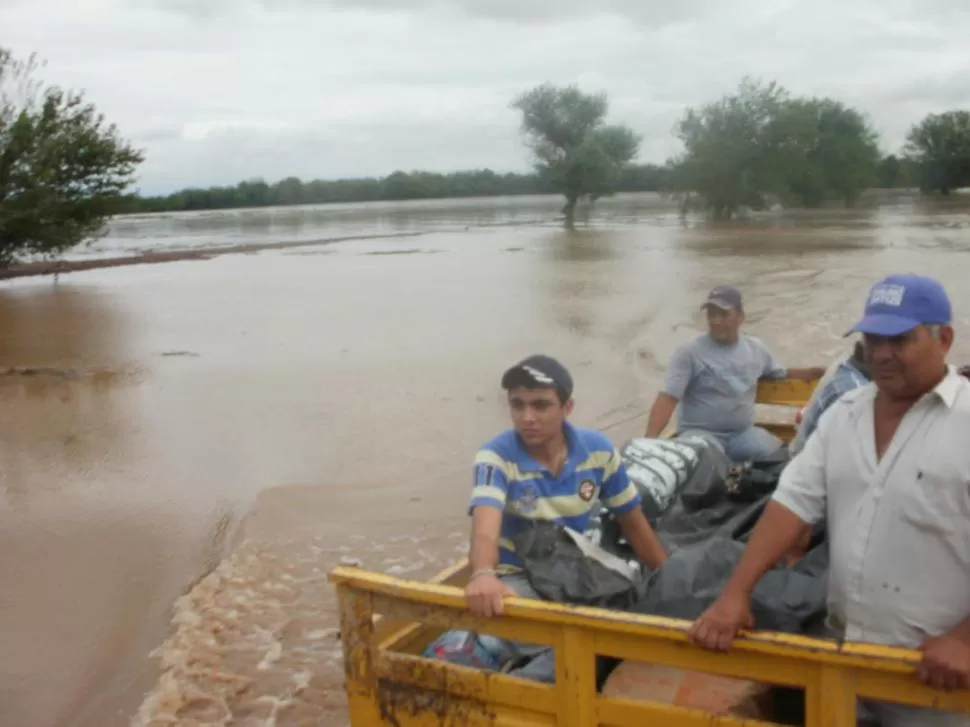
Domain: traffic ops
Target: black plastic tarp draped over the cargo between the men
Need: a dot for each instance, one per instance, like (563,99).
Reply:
(704,532)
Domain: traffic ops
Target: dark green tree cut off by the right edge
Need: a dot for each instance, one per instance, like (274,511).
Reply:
(940,146)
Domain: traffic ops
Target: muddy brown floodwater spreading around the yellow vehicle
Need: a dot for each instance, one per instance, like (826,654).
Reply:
(189,447)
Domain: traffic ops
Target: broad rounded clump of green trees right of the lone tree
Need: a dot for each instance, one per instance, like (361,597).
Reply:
(759,145)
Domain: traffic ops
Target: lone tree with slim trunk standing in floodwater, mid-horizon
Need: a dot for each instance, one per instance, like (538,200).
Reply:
(575,150)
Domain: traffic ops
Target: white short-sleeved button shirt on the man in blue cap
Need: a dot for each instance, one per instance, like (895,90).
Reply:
(899,528)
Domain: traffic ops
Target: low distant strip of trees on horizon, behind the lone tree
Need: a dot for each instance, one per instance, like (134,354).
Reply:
(397,186)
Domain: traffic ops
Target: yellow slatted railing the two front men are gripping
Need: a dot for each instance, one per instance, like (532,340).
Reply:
(387,685)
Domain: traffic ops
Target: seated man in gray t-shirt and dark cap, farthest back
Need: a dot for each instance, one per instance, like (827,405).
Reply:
(714,378)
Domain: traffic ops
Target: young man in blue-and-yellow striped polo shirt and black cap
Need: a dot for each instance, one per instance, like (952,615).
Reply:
(543,468)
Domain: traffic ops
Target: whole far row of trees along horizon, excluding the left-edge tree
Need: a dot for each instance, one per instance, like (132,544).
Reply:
(752,148)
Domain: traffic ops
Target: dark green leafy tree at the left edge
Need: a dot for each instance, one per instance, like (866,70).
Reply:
(63,169)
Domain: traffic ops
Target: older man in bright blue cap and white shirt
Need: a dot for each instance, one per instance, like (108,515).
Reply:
(889,467)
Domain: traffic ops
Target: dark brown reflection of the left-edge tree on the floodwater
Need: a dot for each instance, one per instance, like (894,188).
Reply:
(61,364)
